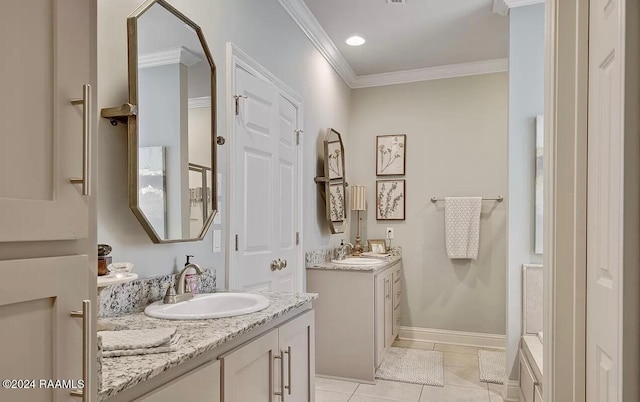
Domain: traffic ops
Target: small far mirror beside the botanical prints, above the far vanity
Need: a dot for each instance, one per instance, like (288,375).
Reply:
(334,181)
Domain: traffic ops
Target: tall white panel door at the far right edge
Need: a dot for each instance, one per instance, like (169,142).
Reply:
(605,201)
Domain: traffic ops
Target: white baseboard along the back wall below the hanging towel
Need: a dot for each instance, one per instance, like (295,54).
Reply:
(476,339)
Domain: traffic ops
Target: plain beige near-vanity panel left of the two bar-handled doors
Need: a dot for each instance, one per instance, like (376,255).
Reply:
(201,384)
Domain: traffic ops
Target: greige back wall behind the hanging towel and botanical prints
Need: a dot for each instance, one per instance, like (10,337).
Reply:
(456,145)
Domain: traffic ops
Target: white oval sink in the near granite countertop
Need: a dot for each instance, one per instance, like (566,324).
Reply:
(206,306)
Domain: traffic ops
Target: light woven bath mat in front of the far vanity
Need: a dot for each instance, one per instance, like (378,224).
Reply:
(415,366)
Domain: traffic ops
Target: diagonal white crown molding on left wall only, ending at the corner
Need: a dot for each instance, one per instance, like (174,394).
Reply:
(305,19)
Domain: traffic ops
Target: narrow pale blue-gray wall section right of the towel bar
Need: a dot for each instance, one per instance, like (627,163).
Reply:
(526,101)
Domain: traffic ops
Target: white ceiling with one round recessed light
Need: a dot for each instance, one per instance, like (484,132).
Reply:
(415,35)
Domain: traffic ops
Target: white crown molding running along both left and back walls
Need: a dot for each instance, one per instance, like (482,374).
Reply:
(305,19)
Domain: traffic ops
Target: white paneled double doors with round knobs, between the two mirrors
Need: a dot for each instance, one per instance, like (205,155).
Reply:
(265,191)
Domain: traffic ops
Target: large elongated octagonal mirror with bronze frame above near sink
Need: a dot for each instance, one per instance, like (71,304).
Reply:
(172,149)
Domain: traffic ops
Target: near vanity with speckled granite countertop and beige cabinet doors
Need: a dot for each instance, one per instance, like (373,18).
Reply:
(244,358)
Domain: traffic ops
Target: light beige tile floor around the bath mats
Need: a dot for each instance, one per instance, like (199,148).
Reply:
(461,382)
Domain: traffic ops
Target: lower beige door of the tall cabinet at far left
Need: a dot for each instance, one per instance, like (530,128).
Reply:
(38,337)
